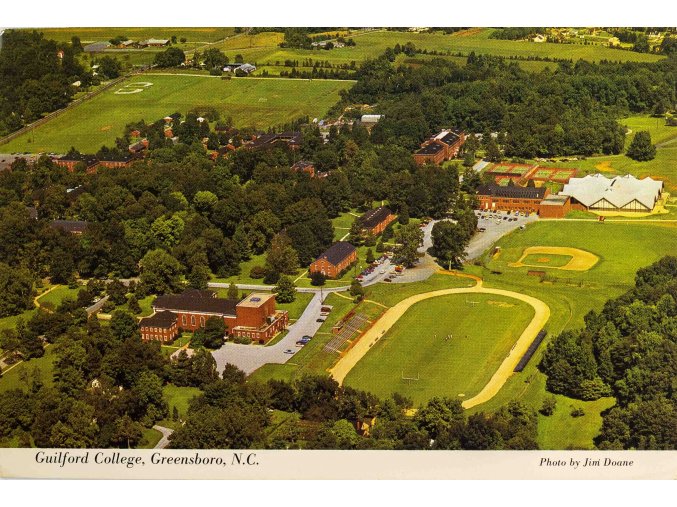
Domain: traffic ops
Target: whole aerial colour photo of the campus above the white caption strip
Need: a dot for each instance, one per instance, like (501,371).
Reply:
(376,238)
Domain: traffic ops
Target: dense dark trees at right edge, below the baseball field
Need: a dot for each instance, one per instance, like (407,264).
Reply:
(629,351)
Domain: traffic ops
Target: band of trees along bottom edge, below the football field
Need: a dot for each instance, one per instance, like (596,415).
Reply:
(235,414)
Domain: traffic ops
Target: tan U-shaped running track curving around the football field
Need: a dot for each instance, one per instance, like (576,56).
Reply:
(504,371)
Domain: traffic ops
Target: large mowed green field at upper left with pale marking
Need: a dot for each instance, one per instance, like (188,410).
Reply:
(250,102)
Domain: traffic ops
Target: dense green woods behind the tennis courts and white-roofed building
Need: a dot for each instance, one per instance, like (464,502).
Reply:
(571,110)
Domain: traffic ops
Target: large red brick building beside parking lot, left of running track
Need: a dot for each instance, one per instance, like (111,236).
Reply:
(254,317)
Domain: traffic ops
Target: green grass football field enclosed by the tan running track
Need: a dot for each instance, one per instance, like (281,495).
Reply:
(417,347)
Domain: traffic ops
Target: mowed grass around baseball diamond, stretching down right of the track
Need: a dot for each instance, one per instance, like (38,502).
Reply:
(623,248)
